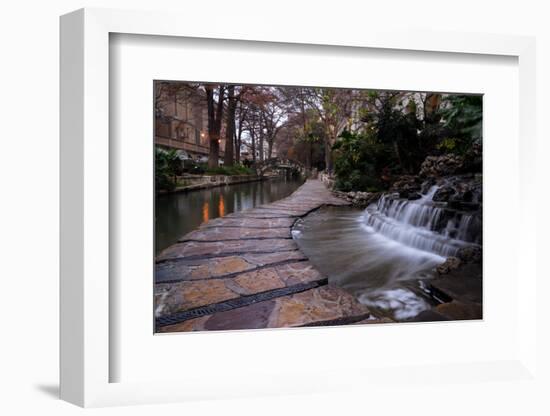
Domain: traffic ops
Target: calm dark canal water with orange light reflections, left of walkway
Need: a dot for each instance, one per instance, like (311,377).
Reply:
(176,214)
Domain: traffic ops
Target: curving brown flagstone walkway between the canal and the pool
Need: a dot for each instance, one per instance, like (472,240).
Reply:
(244,271)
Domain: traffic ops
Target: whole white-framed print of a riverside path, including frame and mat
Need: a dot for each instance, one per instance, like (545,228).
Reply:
(307,213)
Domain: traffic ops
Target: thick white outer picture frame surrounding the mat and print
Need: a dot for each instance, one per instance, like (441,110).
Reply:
(85,217)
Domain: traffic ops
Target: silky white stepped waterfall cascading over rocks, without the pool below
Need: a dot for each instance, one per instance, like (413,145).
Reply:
(422,223)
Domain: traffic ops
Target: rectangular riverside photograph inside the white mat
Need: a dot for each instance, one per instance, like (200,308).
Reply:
(303,206)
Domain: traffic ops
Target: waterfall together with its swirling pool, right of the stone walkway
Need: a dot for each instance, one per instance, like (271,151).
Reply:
(382,254)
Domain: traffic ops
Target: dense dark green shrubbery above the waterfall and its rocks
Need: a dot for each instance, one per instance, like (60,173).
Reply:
(394,141)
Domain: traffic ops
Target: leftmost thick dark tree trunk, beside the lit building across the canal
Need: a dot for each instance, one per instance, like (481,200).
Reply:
(214,102)
